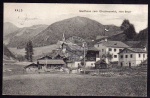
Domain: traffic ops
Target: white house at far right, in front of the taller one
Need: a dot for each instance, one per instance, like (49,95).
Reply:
(132,56)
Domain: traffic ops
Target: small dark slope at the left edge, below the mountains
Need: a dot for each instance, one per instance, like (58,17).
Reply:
(7,54)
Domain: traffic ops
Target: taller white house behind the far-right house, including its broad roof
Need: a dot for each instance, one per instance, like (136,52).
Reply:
(112,47)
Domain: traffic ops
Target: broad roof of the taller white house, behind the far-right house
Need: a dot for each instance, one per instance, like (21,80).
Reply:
(116,44)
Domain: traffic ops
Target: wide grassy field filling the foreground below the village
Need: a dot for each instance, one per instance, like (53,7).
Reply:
(74,85)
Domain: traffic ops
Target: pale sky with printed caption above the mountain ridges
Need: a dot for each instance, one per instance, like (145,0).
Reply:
(46,13)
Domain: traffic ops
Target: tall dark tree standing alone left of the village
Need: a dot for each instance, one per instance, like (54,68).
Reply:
(29,51)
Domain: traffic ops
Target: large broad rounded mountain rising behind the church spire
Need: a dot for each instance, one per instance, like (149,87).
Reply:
(77,26)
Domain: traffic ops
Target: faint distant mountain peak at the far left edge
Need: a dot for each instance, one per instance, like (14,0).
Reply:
(9,28)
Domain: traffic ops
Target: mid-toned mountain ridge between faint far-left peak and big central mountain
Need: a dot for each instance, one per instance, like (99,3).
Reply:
(20,37)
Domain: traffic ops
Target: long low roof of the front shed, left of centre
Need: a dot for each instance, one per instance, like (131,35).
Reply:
(58,61)
